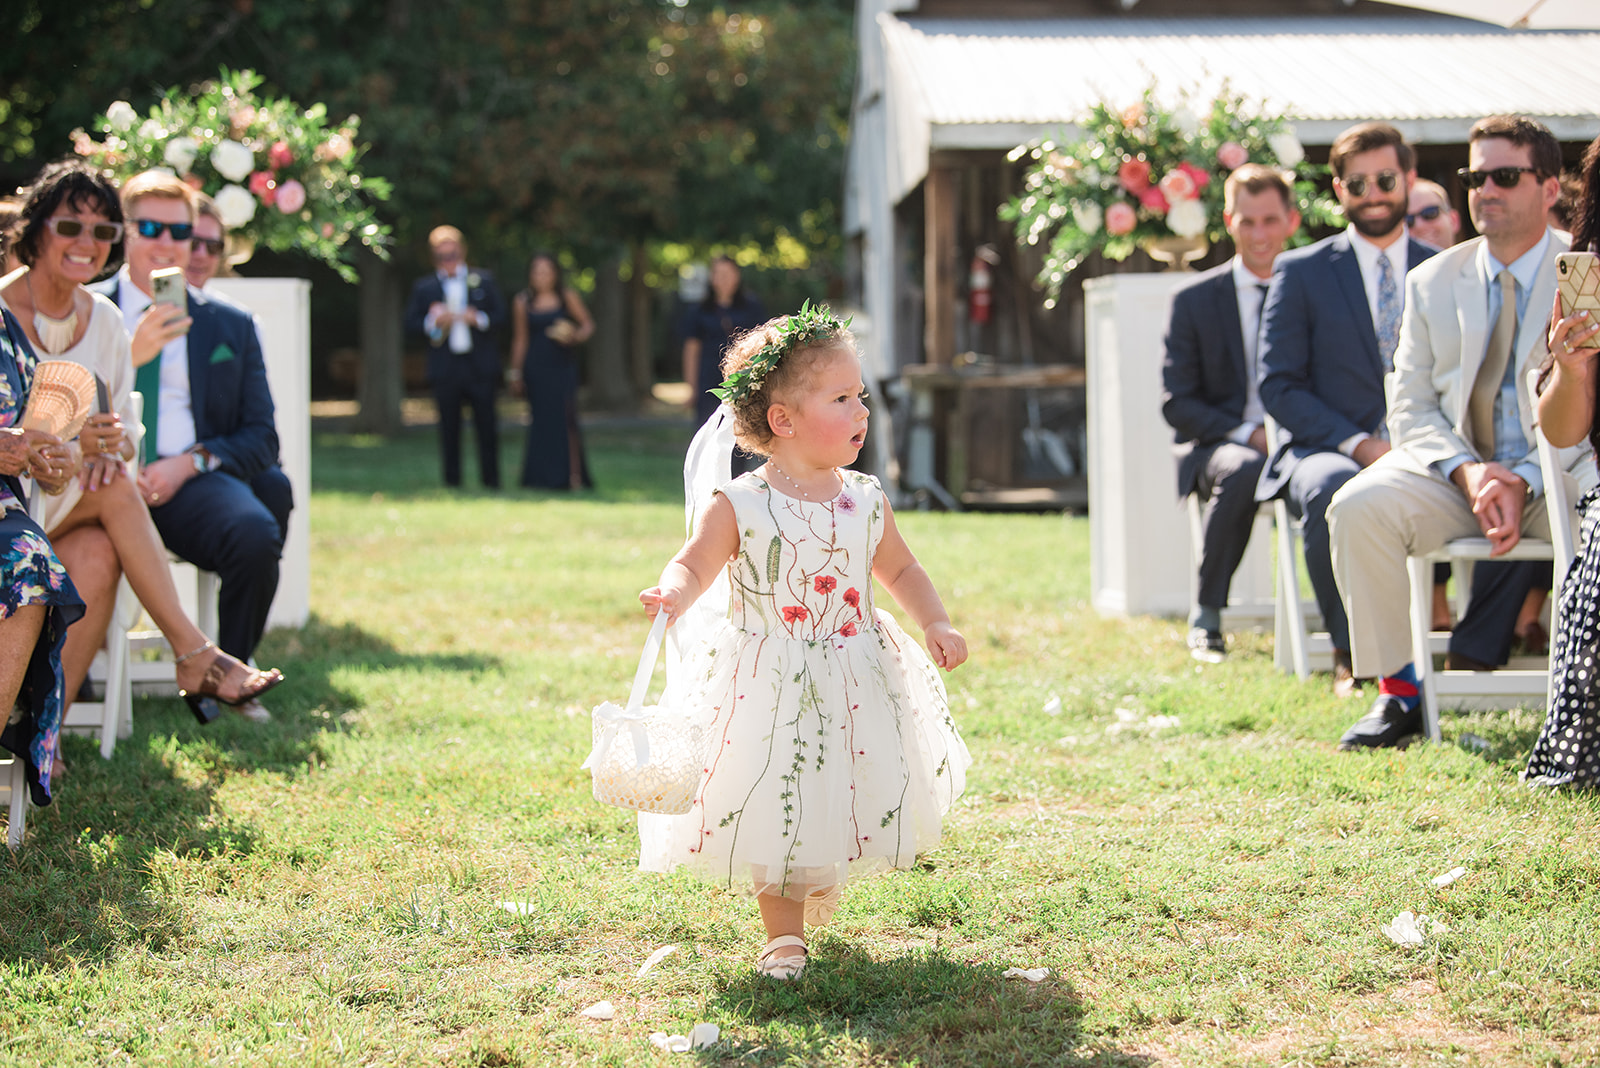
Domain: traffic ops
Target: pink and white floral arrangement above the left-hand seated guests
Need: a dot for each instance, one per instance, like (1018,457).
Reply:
(282,175)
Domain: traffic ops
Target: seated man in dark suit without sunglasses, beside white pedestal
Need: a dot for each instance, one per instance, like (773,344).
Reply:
(1210,388)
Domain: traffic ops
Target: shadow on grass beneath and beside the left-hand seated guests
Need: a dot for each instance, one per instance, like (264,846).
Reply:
(98,872)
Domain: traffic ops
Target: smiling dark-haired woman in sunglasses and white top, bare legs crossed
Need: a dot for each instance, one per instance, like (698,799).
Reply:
(68,233)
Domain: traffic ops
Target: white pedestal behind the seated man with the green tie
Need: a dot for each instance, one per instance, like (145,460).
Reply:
(282,309)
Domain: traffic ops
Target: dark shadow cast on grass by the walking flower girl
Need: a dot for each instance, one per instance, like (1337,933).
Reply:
(924,1008)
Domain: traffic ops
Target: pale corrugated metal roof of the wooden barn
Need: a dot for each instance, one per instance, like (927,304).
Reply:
(1324,70)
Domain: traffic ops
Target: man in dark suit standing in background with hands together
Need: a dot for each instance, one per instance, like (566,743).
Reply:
(458,311)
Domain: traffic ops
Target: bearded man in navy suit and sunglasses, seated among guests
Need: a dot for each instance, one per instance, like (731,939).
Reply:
(1330,329)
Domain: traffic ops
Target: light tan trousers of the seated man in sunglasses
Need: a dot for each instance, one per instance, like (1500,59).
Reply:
(1390,512)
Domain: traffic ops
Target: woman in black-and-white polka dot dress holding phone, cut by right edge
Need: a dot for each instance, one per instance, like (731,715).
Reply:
(1569,747)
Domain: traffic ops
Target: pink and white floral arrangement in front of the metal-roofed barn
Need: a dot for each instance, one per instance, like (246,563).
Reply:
(1146,173)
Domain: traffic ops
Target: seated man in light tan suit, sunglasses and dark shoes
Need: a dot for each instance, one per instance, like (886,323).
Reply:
(1460,415)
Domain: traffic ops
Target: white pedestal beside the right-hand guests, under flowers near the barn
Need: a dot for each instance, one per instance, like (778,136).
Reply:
(1140,552)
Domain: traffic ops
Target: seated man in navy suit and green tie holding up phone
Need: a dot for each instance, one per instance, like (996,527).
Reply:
(210,471)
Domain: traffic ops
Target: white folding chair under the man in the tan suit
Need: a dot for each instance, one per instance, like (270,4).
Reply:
(1508,687)
